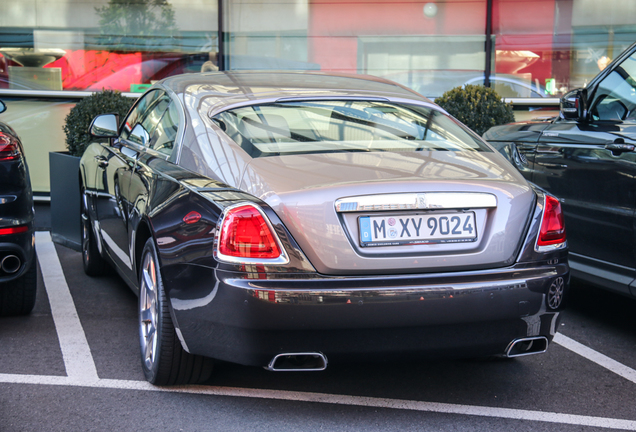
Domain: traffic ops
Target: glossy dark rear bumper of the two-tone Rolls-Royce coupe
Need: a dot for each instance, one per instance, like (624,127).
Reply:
(249,321)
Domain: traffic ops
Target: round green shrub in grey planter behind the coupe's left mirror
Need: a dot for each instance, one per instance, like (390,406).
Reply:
(79,119)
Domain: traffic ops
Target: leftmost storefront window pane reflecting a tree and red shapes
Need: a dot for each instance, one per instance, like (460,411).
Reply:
(120,45)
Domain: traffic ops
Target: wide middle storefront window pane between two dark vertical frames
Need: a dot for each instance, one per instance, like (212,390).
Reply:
(428,46)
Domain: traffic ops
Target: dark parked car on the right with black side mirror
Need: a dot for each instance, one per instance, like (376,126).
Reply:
(586,158)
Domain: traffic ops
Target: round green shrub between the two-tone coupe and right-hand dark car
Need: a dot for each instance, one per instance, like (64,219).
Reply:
(476,106)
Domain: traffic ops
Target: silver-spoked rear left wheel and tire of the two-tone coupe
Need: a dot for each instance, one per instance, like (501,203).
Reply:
(163,359)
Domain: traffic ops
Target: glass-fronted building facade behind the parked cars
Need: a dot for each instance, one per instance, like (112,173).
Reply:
(50,50)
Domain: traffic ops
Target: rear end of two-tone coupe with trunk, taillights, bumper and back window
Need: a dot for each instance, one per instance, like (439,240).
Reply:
(405,237)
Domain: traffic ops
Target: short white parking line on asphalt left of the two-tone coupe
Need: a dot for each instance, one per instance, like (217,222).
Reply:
(76,352)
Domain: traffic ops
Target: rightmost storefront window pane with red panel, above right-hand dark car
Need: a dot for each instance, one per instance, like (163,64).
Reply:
(553,46)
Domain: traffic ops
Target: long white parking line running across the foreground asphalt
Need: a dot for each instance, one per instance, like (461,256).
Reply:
(361,401)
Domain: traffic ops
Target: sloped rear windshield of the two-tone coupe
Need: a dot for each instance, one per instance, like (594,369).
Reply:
(343,126)
